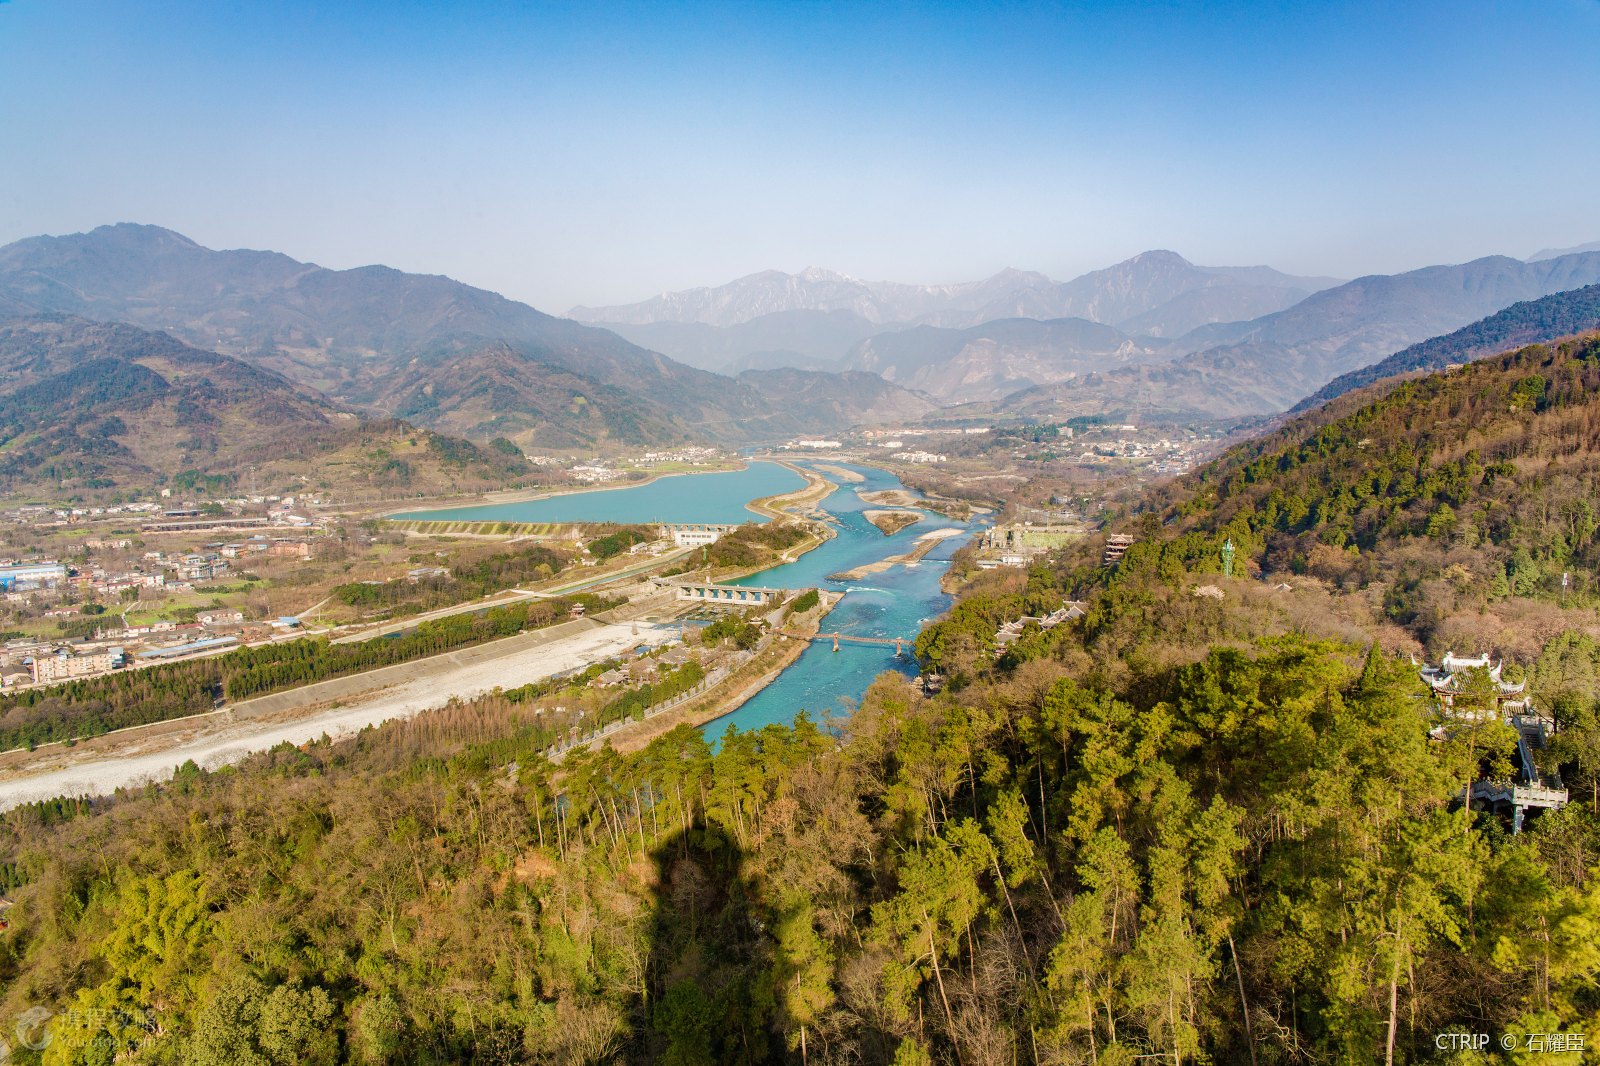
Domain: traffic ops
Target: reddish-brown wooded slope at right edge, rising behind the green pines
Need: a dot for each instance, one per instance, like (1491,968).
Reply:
(1449,495)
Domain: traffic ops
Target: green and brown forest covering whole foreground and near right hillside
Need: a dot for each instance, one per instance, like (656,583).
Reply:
(1183,830)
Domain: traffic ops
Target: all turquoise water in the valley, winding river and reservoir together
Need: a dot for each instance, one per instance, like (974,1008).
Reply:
(892,604)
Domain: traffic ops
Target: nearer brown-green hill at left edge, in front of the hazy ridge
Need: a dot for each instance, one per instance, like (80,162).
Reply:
(92,407)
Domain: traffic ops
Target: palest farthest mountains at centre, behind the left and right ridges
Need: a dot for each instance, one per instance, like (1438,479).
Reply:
(950,340)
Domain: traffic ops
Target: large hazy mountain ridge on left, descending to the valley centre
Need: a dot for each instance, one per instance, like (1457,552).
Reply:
(414,347)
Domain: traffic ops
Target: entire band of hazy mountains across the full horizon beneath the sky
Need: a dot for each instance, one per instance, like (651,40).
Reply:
(1153,337)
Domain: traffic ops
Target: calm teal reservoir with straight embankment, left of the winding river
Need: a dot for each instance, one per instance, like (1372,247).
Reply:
(681,499)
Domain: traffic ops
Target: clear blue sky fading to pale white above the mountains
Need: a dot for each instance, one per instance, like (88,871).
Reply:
(602,153)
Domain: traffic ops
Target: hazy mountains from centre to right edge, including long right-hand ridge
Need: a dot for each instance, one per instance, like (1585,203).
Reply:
(1154,335)
